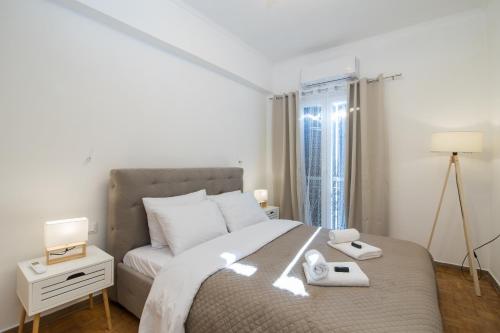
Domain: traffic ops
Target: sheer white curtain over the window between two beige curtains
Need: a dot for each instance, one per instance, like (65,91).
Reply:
(322,121)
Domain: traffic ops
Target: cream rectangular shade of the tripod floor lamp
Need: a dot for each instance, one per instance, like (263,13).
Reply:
(459,142)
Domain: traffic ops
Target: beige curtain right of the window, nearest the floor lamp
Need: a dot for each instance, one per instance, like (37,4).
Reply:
(366,184)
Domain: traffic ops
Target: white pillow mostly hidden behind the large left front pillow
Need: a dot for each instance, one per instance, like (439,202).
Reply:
(155,233)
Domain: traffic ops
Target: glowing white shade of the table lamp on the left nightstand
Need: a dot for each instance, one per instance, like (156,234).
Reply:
(65,232)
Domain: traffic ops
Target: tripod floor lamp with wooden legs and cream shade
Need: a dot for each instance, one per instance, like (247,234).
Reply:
(454,143)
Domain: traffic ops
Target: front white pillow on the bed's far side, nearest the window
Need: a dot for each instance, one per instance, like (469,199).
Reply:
(240,210)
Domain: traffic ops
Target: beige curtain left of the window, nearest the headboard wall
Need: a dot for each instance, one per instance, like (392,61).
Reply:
(285,156)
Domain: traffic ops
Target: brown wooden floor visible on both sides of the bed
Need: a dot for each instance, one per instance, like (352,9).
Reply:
(460,309)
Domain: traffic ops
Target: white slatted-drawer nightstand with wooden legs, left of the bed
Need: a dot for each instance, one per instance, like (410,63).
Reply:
(63,283)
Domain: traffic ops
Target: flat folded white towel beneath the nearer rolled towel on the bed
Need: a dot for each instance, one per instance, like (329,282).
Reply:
(354,278)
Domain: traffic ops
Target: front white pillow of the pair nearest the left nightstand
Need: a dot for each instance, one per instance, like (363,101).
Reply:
(186,226)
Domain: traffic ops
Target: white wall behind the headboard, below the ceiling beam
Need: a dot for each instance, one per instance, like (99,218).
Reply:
(70,87)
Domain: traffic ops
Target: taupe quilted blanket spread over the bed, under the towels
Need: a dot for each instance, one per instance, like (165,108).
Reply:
(402,296)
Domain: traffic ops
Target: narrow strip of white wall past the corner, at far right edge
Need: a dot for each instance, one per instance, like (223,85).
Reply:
(493,11)
